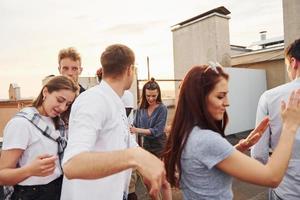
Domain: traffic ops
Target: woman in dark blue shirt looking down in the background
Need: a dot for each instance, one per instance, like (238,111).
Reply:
(150,118)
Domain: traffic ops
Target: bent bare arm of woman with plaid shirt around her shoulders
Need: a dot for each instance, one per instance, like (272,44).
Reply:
(10,175)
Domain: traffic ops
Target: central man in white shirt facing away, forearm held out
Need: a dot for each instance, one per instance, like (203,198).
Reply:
(100,154)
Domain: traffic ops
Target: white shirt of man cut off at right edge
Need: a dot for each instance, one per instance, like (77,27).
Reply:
(269,104)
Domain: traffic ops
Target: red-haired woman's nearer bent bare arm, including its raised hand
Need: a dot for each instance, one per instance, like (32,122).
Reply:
(271,174)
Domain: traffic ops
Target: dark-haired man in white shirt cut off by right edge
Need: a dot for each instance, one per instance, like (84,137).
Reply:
(269,104)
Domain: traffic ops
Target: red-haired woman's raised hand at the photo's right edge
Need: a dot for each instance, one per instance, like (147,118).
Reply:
(290,111)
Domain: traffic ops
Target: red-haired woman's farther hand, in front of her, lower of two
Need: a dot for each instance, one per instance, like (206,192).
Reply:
(254,136)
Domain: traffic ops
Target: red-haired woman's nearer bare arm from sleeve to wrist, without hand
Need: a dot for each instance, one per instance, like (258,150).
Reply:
(247,169)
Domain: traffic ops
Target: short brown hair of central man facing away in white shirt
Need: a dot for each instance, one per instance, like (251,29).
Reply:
(115,59)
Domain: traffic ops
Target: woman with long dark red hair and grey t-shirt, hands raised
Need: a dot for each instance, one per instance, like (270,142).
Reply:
(200,160)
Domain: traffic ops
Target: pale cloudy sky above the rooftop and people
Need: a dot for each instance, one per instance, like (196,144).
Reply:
(32,32)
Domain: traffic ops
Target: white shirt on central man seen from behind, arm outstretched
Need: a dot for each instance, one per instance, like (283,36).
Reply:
(98,123)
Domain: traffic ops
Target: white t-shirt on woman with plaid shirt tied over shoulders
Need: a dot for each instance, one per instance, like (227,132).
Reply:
(20,133)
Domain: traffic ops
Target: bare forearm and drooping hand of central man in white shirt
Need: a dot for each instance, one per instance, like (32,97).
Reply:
(101,164)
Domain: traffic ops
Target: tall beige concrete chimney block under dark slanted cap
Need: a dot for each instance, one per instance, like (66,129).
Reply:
(206,39)
